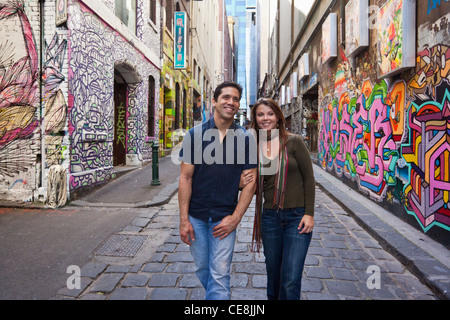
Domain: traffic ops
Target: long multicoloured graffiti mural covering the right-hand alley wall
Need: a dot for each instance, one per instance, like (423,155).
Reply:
(393,139)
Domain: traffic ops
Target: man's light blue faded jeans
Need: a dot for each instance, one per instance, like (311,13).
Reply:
(212,258)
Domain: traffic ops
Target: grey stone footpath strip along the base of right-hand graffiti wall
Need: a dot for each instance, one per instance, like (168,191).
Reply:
(426,258)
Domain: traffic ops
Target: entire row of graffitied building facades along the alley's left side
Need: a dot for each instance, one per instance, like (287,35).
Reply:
(114,81)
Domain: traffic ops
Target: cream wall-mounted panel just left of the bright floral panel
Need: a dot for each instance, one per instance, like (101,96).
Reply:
(356,26)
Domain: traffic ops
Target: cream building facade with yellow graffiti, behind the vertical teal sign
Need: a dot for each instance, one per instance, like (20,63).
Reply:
(186,90)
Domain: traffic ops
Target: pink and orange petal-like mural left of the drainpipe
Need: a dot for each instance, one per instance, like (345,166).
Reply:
(19,101)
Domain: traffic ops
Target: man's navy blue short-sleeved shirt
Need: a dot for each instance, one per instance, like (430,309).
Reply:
(218,168)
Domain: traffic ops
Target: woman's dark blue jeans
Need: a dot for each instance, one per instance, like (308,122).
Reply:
(285,251)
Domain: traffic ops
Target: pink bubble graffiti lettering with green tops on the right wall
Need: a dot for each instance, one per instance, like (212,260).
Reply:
(359,139)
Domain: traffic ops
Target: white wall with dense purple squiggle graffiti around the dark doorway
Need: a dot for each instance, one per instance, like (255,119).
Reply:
(94,50)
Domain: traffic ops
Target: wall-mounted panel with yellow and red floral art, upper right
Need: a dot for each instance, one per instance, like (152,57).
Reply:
(396,37)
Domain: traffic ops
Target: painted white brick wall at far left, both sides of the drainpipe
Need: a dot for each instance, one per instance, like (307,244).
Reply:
(32,118)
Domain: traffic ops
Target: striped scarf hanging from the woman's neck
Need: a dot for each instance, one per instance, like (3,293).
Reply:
(278,201)
